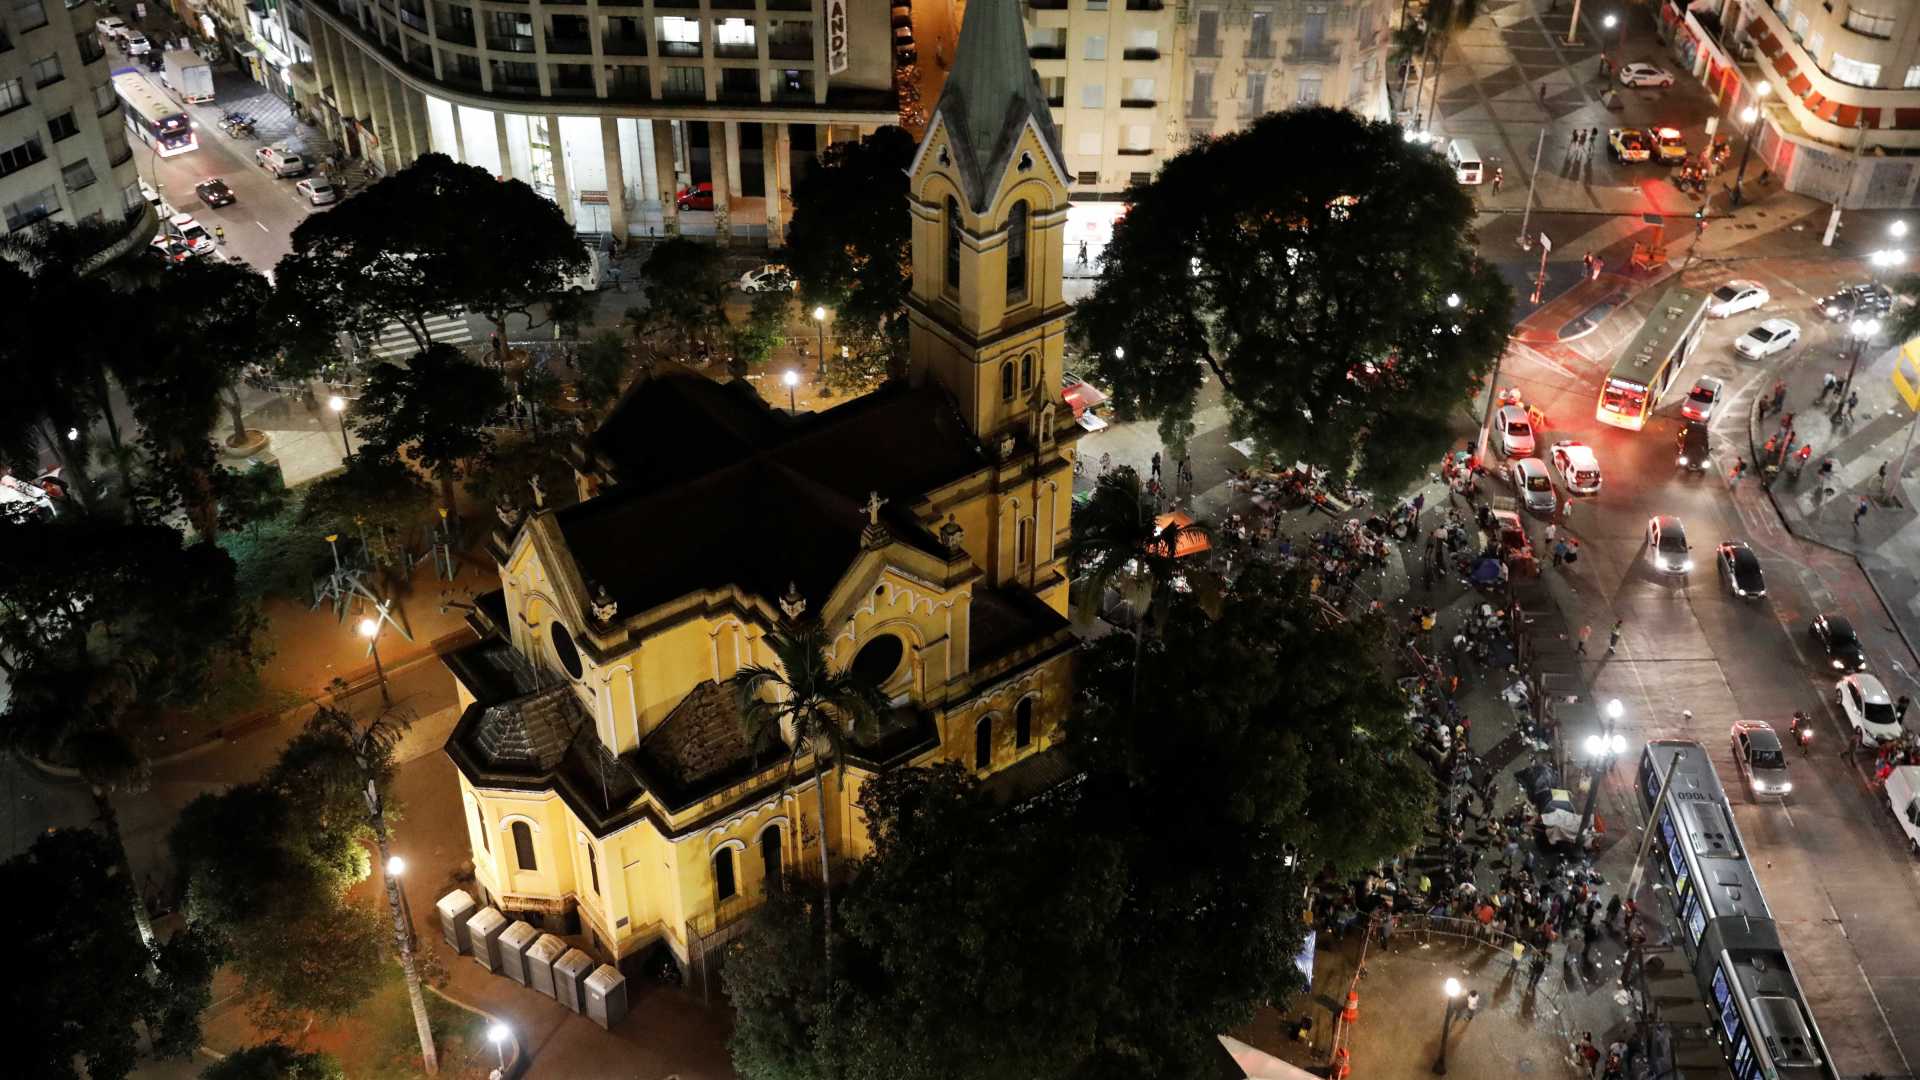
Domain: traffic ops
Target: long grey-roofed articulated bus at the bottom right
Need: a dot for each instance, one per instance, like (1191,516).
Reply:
(1754,1002)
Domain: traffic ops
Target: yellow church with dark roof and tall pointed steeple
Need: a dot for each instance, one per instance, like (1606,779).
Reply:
(612,789)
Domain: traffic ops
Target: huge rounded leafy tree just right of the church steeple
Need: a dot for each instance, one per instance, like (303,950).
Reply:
(1314,287)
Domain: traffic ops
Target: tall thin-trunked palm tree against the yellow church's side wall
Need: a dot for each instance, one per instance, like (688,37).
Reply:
(811,706)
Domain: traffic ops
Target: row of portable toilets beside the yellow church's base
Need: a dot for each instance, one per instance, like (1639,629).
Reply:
(535,960)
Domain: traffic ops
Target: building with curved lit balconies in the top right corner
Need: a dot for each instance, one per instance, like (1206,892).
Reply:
(1842,118)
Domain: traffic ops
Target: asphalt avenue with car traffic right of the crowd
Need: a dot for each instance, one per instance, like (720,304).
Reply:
(1836,873)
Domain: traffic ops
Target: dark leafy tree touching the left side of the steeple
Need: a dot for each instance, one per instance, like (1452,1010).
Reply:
(850,241)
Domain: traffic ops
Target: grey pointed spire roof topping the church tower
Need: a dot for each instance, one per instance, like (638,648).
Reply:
(990,97)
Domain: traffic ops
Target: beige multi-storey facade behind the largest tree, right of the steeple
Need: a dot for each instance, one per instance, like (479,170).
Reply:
(1136,82)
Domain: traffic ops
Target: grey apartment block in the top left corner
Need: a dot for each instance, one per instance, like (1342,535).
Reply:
(64,151)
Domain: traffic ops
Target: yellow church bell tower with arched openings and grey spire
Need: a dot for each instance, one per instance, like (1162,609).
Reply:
(990,197)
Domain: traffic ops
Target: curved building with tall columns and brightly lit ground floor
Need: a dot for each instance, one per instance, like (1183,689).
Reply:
(646,118)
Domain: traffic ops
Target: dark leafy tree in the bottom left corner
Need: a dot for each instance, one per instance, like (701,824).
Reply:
(95,979)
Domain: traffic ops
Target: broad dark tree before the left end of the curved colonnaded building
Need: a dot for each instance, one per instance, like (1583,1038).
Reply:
(433,239)
